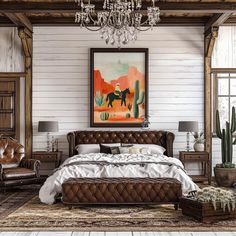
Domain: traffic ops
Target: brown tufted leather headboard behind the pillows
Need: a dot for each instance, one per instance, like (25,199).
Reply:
(163,138)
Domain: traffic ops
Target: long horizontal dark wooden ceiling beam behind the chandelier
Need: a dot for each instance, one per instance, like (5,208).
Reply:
(70,7)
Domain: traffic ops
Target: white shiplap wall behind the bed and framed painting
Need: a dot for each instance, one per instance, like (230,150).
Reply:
(61,78)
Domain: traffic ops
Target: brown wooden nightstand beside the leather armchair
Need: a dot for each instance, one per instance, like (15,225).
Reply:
(47,158)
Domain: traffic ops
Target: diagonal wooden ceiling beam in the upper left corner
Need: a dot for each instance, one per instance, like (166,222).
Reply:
(20,20)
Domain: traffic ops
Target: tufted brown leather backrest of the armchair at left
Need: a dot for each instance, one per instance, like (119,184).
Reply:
(11,152)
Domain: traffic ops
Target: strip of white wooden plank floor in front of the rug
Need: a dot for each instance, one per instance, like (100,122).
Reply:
(118,234)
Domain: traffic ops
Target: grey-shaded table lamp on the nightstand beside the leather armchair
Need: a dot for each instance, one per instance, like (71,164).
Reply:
(48,127)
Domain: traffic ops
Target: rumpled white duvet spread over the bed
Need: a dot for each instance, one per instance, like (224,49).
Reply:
(97,165)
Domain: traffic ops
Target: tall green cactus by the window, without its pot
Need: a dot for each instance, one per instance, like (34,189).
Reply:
(227,142)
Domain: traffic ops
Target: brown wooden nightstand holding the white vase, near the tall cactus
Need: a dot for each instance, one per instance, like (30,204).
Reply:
(200,157)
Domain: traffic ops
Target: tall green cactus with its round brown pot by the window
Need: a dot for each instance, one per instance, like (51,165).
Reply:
(225,173)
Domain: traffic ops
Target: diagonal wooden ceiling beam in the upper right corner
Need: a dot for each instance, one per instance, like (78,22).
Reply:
(216,20)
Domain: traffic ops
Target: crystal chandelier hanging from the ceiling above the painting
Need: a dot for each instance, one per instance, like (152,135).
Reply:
(120,20)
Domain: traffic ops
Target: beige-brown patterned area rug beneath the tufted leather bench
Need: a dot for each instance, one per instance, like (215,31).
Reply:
(39,217)
